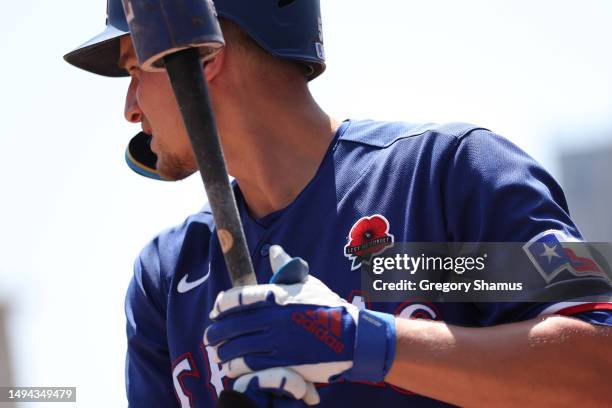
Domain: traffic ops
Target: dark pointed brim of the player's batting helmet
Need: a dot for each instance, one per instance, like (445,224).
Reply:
(100,55)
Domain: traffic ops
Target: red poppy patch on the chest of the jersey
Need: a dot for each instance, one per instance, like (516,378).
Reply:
(369,236)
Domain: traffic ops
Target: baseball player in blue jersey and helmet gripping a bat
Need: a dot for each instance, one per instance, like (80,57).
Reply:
(313,188)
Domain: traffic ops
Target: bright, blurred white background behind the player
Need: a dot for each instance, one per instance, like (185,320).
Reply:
(73,217)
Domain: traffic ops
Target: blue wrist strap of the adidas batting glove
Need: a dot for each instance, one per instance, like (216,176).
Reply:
(374,346)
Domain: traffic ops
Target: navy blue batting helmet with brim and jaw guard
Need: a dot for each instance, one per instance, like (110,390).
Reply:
(288,29)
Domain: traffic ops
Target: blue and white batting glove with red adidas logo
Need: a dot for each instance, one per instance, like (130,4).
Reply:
(298,322)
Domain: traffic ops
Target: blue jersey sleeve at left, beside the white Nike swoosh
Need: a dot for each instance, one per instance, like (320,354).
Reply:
(148,368)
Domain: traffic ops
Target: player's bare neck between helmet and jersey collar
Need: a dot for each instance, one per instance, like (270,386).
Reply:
(276,149)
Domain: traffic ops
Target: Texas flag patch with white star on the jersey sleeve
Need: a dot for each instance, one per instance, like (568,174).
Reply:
(553,252)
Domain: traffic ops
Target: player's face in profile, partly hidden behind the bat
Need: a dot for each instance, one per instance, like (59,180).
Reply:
(150,101)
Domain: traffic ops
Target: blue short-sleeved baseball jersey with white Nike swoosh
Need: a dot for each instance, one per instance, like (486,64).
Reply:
(428,183)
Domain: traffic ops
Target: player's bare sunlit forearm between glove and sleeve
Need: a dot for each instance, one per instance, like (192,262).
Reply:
(545,361)
